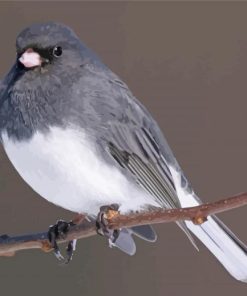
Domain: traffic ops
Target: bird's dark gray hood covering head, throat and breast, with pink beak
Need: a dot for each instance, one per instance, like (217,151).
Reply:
(49,61)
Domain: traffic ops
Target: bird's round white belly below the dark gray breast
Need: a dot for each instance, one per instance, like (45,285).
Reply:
(64,168)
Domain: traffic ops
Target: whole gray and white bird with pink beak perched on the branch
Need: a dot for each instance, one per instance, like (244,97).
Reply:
(77,135)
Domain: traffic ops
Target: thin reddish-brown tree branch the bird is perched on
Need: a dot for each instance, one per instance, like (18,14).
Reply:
(198,215)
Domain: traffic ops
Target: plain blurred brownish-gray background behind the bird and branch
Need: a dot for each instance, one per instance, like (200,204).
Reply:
(187,63)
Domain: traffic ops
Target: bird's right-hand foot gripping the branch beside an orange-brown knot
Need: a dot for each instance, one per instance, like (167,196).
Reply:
(106,213)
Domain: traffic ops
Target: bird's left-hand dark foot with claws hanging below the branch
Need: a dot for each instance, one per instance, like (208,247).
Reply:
(59,231)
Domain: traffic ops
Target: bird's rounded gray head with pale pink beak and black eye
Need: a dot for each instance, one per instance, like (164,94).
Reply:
(47,48)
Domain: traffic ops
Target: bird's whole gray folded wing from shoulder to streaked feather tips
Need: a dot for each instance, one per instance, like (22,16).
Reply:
(129,135)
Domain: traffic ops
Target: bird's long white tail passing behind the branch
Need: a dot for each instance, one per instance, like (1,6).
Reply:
(215,235)
